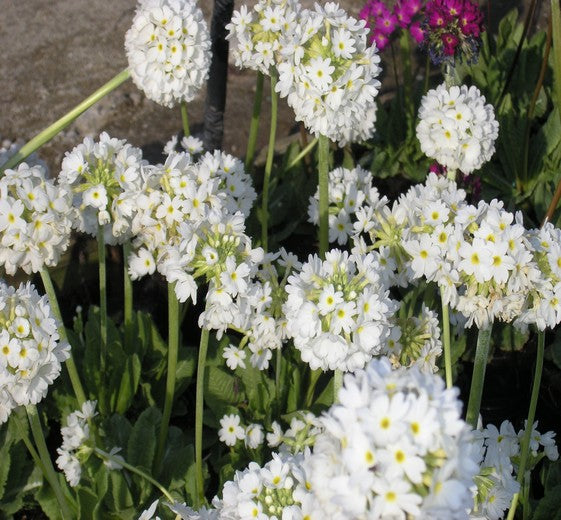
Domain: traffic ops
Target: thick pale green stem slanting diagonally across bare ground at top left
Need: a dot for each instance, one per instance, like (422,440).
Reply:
(51,131)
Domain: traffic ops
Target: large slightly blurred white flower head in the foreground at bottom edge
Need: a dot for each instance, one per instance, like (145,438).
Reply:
(395,447)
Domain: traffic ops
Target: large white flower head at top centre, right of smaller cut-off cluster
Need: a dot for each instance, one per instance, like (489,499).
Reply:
(328,72)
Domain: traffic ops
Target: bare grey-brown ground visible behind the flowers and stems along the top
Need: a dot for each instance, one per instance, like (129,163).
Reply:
(56,52)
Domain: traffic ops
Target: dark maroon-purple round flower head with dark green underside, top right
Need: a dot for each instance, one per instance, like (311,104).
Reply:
(452,30)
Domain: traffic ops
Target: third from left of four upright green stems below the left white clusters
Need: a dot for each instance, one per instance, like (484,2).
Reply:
(173,348)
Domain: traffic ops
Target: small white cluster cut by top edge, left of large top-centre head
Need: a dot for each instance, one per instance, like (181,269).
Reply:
(255,35)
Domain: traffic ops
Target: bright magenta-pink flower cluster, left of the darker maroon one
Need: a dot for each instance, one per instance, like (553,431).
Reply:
(383,21)
